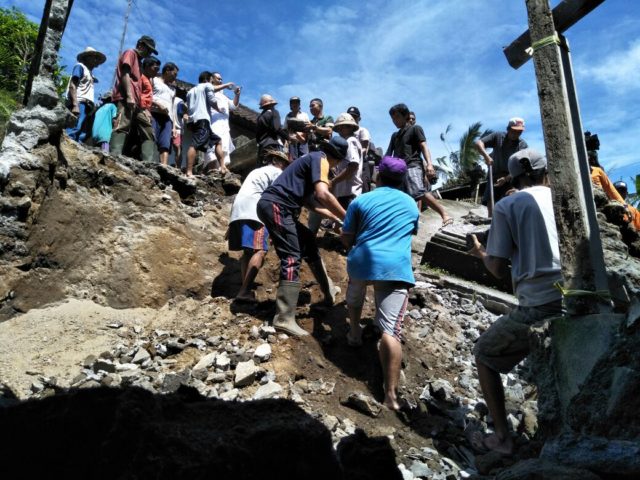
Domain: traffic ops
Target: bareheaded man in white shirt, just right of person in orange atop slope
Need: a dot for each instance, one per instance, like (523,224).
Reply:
(162,118)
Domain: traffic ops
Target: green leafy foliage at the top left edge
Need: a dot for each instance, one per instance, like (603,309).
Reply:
(18,37)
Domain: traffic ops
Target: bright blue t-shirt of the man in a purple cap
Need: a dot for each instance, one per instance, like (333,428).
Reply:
(382,221)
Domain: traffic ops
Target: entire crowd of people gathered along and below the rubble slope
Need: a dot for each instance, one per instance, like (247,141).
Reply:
(326,166)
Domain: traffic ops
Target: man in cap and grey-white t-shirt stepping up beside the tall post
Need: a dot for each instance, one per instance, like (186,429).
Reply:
(523,231)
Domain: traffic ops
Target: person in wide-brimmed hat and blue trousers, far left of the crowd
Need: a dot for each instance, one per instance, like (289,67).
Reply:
(80,90)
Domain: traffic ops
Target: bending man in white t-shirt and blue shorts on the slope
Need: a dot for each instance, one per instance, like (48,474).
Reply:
(246,231)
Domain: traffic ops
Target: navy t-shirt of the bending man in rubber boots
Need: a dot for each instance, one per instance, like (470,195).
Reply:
(298,181)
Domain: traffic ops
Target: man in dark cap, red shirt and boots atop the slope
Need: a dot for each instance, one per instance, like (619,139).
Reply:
(131,119)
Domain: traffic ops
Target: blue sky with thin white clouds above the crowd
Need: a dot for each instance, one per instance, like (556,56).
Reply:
(444,59)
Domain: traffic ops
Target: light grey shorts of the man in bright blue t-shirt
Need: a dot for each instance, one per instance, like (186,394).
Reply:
(391,303)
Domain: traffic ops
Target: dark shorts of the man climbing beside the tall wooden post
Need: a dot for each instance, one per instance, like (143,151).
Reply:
(506,342)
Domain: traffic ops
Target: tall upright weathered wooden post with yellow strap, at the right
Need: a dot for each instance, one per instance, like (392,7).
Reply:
(583,266)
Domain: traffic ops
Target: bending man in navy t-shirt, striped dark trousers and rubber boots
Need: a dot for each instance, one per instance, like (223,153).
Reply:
(304,183)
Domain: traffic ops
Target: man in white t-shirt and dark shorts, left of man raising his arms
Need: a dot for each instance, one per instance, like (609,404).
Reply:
(200,100)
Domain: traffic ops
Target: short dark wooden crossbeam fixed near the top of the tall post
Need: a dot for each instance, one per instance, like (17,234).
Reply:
(566,14)
